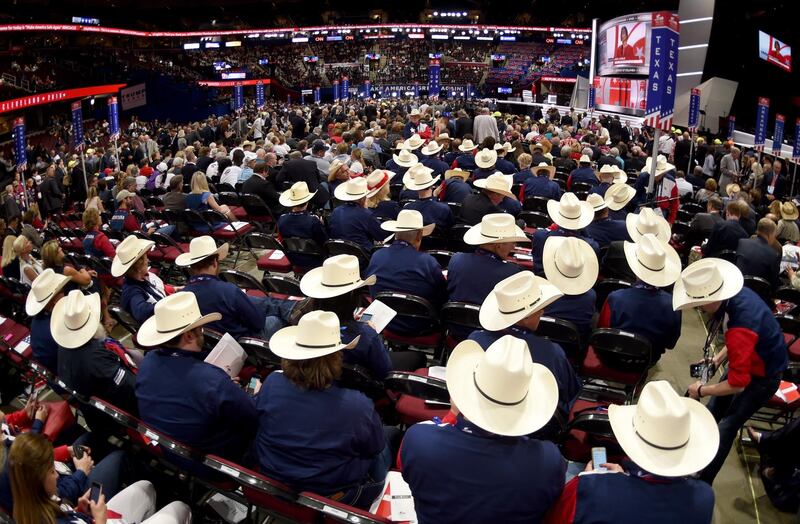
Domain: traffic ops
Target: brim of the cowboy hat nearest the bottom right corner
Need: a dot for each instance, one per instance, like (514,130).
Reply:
(698,452)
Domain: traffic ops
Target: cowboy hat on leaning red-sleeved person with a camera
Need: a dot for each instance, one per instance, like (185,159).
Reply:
(705,281)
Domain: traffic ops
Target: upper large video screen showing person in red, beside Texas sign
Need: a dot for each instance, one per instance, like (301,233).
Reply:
(623,45)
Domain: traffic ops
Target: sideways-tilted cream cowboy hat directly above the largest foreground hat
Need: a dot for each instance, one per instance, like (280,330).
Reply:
(514,298)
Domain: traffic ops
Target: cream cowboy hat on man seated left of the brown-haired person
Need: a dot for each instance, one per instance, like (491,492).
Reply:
(173,316)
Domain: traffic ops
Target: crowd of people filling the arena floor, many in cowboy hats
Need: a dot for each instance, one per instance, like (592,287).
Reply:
(395,179)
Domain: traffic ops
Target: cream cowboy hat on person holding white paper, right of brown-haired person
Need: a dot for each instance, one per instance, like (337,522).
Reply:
(338,275)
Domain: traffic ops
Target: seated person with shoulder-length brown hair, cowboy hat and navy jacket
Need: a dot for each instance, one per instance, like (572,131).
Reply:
(314,435)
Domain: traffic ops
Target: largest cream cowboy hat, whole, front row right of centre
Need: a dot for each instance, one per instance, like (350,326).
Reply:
(501,390)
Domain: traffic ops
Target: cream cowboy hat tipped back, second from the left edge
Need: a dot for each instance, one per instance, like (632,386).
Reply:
(75,319)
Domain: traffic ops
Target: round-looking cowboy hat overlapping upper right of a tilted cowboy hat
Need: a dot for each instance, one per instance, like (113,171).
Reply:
(570,264)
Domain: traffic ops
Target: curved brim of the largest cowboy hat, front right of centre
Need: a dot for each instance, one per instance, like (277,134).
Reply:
(524,418)
